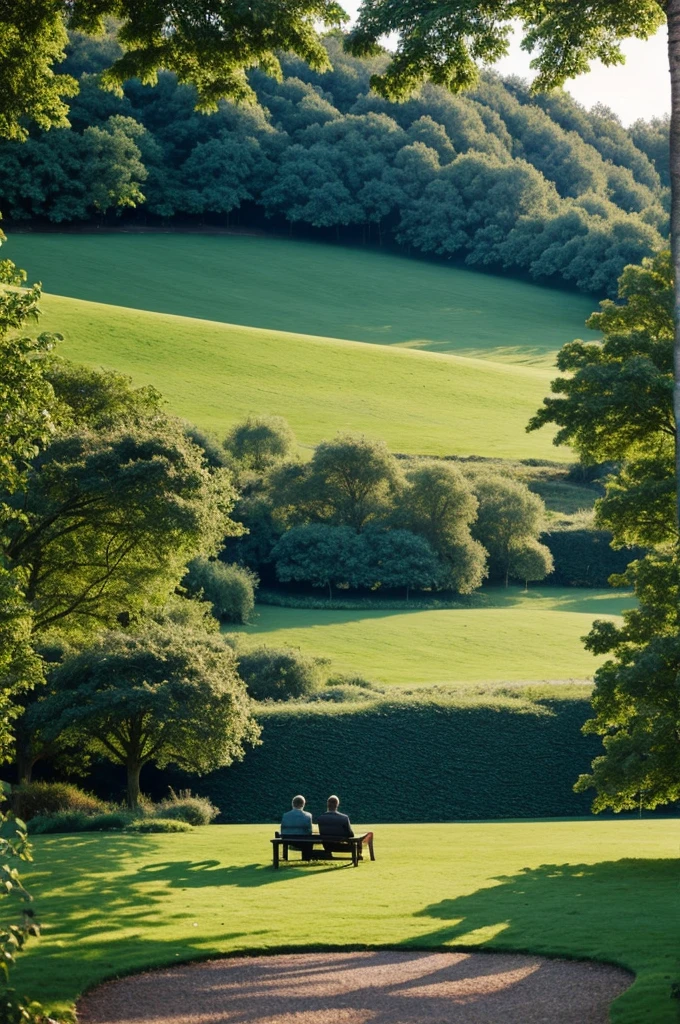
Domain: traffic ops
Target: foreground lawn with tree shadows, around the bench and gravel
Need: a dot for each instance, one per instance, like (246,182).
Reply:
(605,890)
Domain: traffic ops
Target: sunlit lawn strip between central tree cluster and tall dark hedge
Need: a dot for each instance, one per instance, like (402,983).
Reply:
(505,636)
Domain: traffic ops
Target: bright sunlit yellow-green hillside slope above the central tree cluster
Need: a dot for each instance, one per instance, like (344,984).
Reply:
(216,374)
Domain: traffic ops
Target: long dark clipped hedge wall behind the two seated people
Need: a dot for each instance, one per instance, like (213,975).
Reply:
(402,761)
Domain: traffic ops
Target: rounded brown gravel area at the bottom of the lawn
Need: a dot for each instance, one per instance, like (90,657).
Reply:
(363,989)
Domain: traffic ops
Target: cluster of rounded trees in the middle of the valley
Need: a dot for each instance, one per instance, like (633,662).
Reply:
(355,517)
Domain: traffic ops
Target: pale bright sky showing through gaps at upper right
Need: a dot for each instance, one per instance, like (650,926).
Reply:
(641,89)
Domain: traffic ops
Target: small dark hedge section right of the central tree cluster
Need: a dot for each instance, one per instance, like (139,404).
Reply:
(584,559)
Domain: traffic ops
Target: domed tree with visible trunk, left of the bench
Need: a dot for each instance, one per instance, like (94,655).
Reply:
(161,696)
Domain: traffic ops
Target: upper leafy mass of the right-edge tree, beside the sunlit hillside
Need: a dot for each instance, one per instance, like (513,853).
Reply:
(616,405)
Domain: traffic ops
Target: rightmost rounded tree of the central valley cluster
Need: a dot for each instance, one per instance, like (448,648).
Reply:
(509,521)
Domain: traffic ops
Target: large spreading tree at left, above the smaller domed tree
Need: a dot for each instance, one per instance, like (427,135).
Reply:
(107,522)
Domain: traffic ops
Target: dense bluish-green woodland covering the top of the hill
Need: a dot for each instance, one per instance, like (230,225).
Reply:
(497,178)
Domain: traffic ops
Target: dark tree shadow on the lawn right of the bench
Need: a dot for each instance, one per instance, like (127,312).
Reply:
(613,912)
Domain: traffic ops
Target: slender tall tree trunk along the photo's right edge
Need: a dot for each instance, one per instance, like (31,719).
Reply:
(673,15)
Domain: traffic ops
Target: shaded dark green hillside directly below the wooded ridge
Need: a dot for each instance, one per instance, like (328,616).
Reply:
(306,287)
